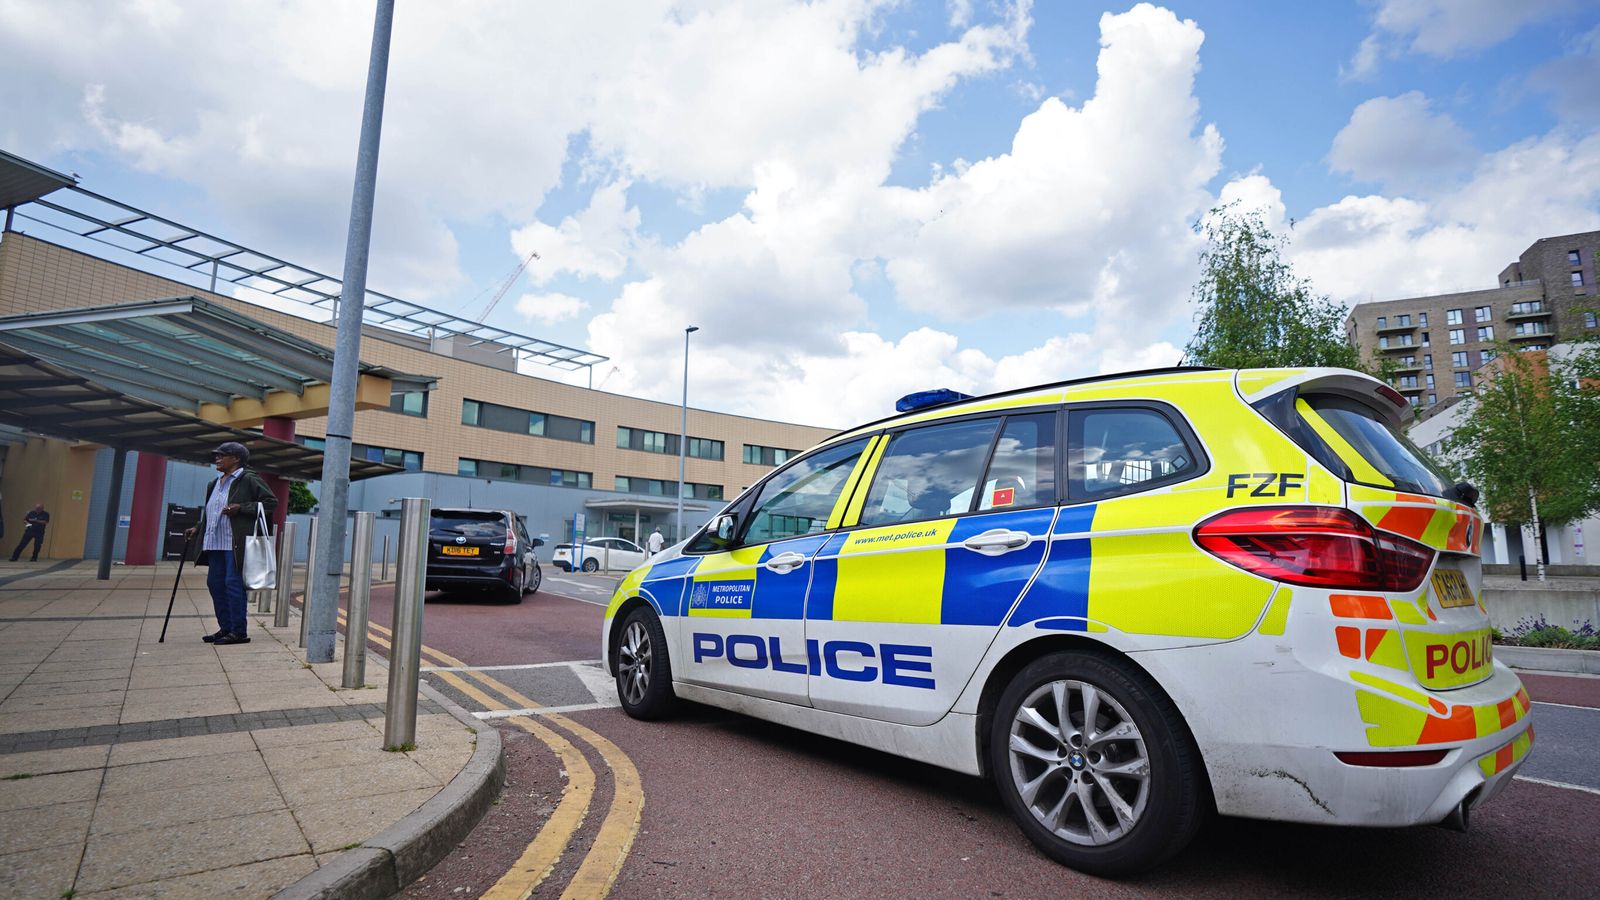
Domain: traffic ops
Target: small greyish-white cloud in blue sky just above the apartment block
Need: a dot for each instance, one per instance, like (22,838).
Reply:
(1401,142)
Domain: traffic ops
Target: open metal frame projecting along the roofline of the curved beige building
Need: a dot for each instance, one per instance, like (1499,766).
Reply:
(100,219)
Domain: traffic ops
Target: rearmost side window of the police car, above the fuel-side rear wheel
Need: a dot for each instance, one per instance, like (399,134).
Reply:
(1124,451)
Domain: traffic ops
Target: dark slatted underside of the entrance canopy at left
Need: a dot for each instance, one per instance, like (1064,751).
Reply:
(47,400)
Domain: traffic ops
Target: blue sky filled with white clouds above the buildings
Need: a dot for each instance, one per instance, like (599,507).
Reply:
(852,199)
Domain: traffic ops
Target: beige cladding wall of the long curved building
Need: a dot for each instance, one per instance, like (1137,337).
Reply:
(39,276)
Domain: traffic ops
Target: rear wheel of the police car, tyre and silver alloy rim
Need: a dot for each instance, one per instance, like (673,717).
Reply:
(1121,789)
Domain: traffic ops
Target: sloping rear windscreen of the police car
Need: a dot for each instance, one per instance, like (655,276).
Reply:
(1375,454)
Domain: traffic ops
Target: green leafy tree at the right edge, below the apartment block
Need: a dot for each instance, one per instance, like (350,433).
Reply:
(1532,433)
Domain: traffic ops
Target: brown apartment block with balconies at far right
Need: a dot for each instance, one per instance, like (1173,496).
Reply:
(1438,344)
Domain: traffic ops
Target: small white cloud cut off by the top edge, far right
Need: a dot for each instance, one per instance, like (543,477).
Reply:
(1447,28)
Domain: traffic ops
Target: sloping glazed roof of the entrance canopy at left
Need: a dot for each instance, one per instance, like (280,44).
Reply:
(178,352)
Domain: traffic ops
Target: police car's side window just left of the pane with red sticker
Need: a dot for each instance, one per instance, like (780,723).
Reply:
(929,473)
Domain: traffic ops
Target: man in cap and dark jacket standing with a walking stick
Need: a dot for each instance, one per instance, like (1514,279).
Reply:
(231,507)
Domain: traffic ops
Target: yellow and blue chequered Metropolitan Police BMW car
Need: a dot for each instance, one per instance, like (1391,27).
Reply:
(1127,600)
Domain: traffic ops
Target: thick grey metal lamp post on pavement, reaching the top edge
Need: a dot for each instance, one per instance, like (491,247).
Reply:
(322,606)
